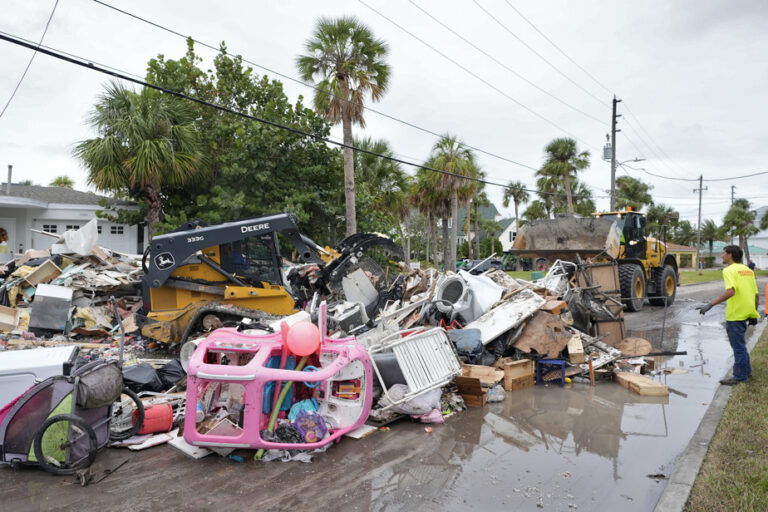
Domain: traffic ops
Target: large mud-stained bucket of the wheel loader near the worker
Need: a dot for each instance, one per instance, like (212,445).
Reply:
(562,237)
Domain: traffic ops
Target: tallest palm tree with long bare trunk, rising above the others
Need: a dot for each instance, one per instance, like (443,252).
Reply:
(347,63)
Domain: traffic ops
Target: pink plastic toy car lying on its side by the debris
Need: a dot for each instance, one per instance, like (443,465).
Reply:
(230,364)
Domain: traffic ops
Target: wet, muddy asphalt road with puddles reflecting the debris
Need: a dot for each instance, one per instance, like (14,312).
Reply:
(543,448)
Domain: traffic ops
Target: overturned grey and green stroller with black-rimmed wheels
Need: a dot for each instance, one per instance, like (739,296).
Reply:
(61,422)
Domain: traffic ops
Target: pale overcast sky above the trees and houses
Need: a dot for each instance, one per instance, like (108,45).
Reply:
(692,75)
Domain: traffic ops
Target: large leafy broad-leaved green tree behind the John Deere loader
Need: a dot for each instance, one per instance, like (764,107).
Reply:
(252,169)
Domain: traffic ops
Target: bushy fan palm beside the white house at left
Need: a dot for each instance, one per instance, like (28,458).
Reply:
(148,142)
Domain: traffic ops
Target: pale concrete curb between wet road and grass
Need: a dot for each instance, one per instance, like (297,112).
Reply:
(675,494)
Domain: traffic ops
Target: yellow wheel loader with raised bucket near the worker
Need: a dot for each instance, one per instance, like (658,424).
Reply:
(646,269)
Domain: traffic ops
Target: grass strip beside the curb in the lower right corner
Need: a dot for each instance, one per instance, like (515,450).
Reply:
(734,475)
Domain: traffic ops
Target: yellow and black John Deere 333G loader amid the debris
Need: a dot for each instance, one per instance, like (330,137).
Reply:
(199,277)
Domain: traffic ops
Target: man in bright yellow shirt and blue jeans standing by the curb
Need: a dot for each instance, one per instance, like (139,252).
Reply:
(740,310)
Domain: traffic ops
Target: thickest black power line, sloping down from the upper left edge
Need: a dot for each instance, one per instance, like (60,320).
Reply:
(79,61)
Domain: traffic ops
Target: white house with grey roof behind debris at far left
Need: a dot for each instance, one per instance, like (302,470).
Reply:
(55,210)
